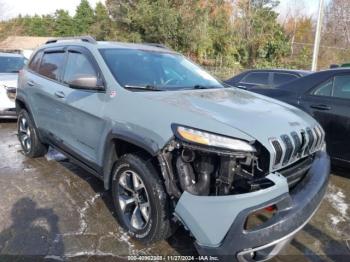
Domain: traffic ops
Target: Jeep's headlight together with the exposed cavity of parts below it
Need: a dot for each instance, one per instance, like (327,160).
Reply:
(194,165)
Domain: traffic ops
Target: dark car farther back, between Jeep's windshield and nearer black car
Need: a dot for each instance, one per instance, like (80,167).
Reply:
(266,78)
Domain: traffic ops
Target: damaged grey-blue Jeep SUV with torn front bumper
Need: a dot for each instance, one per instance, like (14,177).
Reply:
(174,146)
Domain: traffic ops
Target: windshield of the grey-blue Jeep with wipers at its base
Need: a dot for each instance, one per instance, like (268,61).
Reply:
(156,71)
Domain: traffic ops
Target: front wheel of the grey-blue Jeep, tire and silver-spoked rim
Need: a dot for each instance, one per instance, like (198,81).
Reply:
(140,200)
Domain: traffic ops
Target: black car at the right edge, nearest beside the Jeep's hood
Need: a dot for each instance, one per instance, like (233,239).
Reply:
(326,96)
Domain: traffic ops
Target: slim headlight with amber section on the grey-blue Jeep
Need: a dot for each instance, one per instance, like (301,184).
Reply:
(209,139)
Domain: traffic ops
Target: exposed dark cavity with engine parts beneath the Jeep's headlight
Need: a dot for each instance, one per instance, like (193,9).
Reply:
(208,171)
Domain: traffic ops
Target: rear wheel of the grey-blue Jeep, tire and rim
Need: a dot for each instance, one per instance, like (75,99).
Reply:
(28,136)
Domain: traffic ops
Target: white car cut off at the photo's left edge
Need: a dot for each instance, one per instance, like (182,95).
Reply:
(10,64)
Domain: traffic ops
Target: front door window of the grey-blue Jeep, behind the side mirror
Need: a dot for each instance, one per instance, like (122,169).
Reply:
(77,66)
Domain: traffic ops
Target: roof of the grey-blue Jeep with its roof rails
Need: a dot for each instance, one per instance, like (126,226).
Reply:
(112,45)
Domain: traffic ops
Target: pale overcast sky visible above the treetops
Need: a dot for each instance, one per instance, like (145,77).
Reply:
(13,8)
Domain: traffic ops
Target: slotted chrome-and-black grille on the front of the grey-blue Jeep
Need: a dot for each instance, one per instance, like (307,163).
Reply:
(289,148)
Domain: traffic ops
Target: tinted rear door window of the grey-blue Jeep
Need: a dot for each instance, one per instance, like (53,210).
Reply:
(51,65)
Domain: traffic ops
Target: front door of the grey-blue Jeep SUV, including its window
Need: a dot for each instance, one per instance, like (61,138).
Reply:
(83,106)
